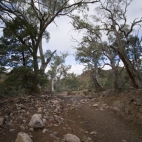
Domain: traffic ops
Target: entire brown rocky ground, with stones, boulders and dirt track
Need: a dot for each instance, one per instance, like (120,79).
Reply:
(97,118)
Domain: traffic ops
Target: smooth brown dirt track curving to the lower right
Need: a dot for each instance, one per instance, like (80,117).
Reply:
(105,123)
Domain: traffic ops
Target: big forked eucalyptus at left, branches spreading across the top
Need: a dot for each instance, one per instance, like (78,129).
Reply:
(40,14)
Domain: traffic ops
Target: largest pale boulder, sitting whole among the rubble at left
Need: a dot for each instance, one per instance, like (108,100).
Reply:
(36,121)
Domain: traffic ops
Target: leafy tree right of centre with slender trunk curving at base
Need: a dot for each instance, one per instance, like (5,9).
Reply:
(90,54)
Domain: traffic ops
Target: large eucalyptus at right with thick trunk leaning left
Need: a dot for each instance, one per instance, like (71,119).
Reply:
(111,16)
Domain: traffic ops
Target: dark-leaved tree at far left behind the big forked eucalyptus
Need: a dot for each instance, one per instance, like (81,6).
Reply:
(13,52)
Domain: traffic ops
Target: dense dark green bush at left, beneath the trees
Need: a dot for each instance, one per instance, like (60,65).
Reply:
(22,81)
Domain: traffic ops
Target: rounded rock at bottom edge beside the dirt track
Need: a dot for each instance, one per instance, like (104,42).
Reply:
(71,138)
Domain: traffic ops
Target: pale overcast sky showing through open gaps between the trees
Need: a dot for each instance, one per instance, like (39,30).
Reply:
(60,35)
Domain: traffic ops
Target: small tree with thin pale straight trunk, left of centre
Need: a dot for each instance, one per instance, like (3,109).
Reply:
(57,69)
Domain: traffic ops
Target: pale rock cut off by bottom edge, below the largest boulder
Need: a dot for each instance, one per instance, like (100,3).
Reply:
(23,137)
